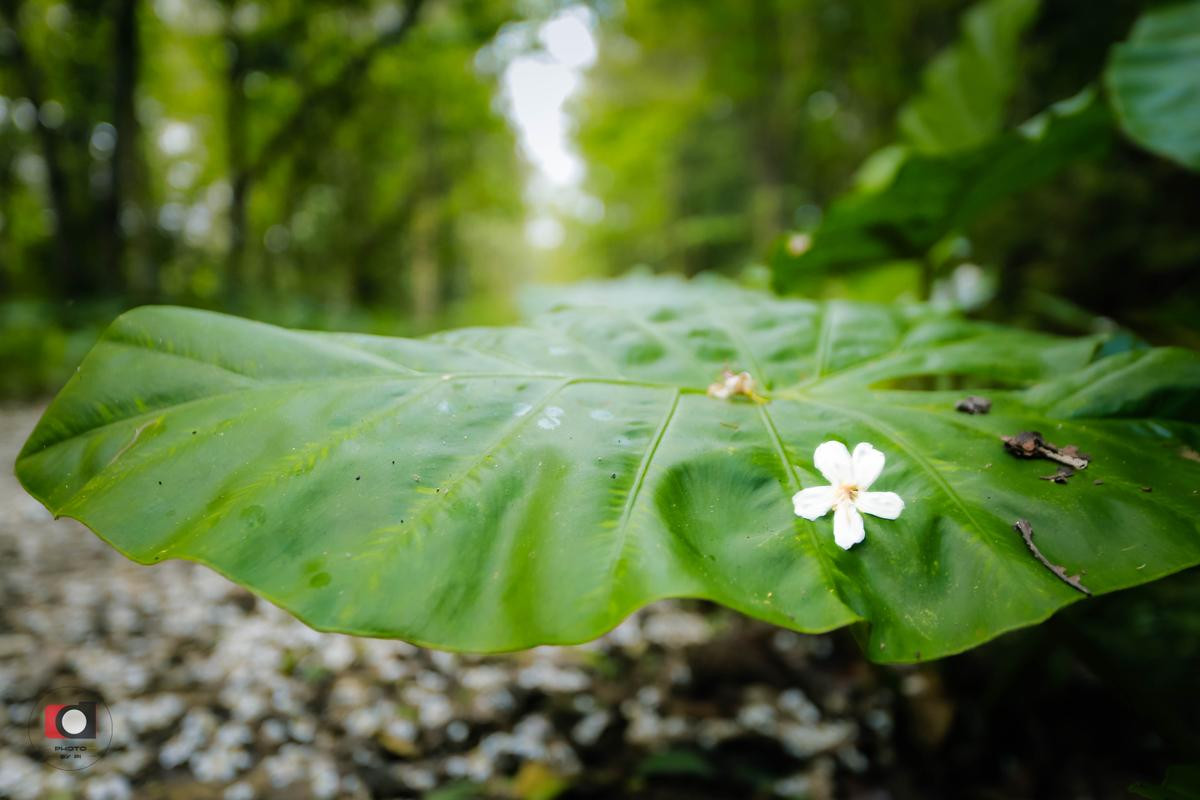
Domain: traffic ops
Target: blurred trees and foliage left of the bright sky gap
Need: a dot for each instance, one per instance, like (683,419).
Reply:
(313,164)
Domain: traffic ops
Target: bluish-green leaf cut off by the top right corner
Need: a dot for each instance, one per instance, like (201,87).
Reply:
(1154,81)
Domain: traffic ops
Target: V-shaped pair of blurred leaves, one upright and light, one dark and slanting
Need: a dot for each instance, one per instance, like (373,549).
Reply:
(952,164)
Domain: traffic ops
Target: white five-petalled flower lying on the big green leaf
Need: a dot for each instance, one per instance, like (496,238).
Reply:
(849,477)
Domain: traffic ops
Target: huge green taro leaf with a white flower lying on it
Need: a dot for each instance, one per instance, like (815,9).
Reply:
(499,489)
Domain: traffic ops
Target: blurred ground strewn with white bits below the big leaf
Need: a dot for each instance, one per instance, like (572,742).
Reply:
(215,694)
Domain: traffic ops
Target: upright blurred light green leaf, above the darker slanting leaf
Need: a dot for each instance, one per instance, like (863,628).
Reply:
(967,89)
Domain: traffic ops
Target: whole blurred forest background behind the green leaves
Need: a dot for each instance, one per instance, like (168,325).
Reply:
(400,167)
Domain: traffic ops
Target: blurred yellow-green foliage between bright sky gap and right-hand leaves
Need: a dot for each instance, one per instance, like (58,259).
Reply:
(712,129)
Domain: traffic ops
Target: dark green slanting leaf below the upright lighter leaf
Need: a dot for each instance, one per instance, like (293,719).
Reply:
(931,197)
